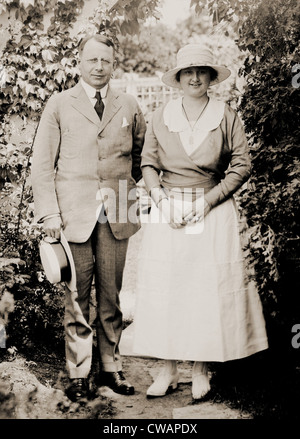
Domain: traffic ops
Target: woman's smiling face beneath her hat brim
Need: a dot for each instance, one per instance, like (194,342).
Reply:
(195,81)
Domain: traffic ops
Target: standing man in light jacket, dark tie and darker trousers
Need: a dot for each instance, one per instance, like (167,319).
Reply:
(86,163)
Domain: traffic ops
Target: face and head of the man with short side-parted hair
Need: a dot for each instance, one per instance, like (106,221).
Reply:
(96,63)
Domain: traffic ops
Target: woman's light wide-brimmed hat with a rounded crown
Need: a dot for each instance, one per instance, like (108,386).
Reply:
(195,55)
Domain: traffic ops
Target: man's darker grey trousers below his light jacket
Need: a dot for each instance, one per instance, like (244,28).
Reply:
(101,256)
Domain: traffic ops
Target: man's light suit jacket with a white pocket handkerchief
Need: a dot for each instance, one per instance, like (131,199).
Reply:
(75,155)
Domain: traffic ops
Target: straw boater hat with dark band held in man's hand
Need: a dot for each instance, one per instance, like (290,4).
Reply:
(57,261)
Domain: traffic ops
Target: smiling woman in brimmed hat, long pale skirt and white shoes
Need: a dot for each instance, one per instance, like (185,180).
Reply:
(194,301)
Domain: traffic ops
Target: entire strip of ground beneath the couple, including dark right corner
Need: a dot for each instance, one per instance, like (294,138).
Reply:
(265,386)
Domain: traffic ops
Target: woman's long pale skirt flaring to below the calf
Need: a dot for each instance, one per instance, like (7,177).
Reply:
(194,300)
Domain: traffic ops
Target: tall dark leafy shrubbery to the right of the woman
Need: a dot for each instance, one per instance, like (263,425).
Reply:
(268,33)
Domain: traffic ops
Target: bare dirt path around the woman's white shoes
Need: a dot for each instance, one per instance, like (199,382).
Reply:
(176,405)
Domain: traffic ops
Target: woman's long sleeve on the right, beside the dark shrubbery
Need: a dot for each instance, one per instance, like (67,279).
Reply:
(240,164)
